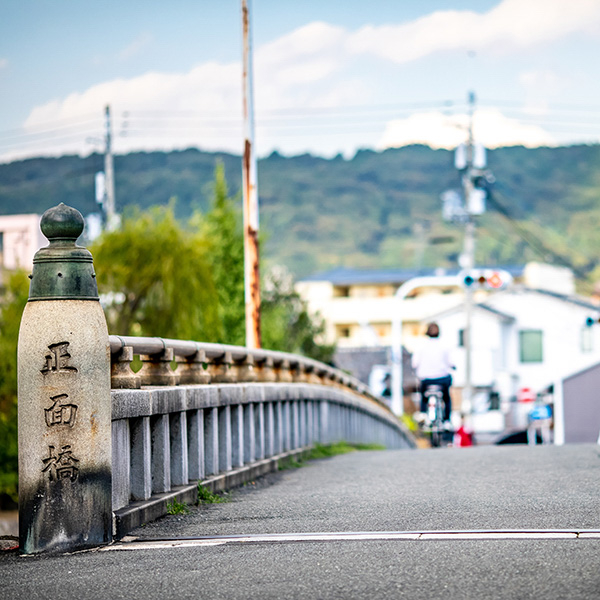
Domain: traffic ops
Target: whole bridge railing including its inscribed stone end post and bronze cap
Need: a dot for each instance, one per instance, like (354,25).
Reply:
(103,448)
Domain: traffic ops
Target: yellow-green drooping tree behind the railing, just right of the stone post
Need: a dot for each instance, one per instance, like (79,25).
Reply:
(156,275)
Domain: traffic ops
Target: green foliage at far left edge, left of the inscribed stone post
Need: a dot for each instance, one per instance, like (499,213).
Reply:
(11,309)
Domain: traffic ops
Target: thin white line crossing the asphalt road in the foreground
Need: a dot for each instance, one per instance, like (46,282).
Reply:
(132,543)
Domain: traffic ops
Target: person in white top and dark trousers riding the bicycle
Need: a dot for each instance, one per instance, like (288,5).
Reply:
(433,364)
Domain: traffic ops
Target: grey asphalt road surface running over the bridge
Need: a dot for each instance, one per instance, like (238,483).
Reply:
(486,489)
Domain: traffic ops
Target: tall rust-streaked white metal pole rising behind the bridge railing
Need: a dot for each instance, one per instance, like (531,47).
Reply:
(250,195)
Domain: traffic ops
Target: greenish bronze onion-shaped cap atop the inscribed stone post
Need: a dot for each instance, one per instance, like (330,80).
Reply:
(63,270)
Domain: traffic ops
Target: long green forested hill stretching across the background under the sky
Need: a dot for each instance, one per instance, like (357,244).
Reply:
(379,209)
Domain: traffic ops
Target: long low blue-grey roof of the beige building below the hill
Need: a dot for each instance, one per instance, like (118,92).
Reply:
(346,276)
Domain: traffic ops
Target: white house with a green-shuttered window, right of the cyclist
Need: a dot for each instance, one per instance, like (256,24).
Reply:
(523,338)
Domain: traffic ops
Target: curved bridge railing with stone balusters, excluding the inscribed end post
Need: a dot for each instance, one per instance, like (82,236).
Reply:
(221,415)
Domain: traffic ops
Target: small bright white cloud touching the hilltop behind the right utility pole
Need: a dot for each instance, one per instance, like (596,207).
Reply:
(490,127)
